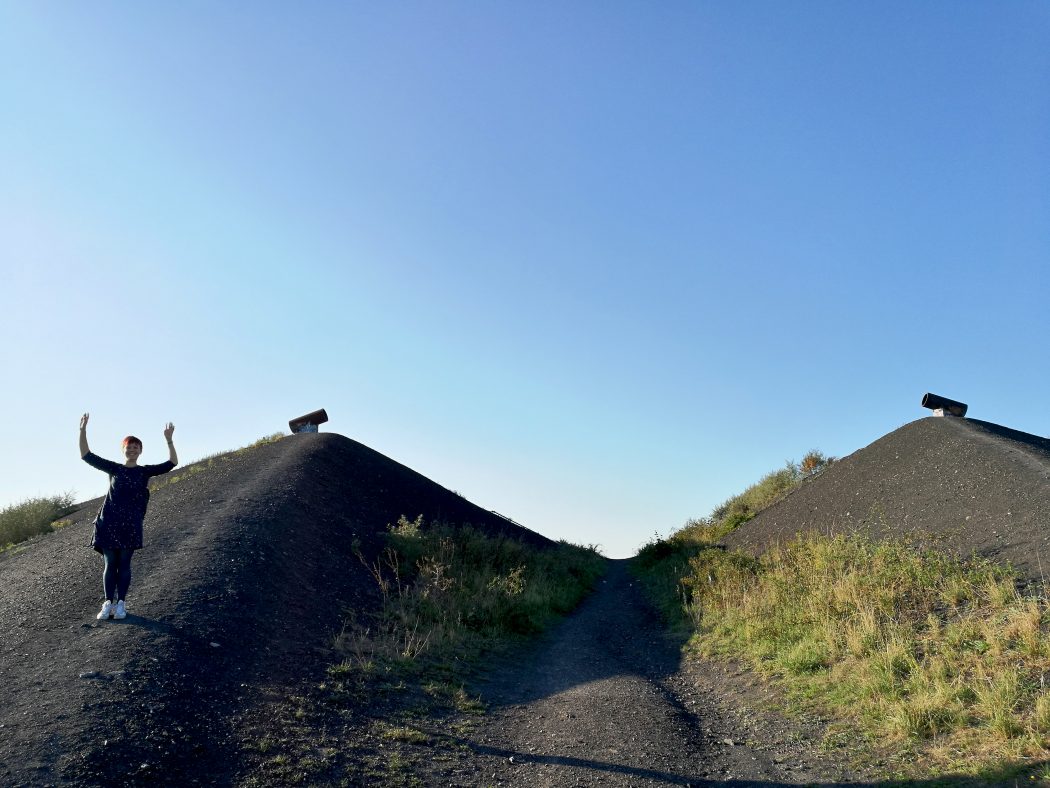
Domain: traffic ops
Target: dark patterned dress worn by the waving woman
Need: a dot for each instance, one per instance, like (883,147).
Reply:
(119,523)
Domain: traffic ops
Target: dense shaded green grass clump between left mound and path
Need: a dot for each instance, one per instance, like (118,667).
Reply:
(449,592)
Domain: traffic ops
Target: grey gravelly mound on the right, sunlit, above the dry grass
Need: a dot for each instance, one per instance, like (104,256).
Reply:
(958,485)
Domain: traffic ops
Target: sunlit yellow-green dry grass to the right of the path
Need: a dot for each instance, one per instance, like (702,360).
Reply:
(912,646)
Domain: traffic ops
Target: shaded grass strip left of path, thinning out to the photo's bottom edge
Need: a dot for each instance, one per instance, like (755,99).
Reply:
(448,596)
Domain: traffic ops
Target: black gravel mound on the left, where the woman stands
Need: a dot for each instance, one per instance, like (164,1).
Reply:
(247,575)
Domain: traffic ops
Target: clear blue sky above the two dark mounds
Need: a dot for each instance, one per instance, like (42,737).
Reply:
(595,265)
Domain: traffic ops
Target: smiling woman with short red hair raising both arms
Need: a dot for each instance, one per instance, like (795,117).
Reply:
(118,527)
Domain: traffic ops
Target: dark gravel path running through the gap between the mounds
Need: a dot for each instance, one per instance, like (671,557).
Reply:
(605,700)
